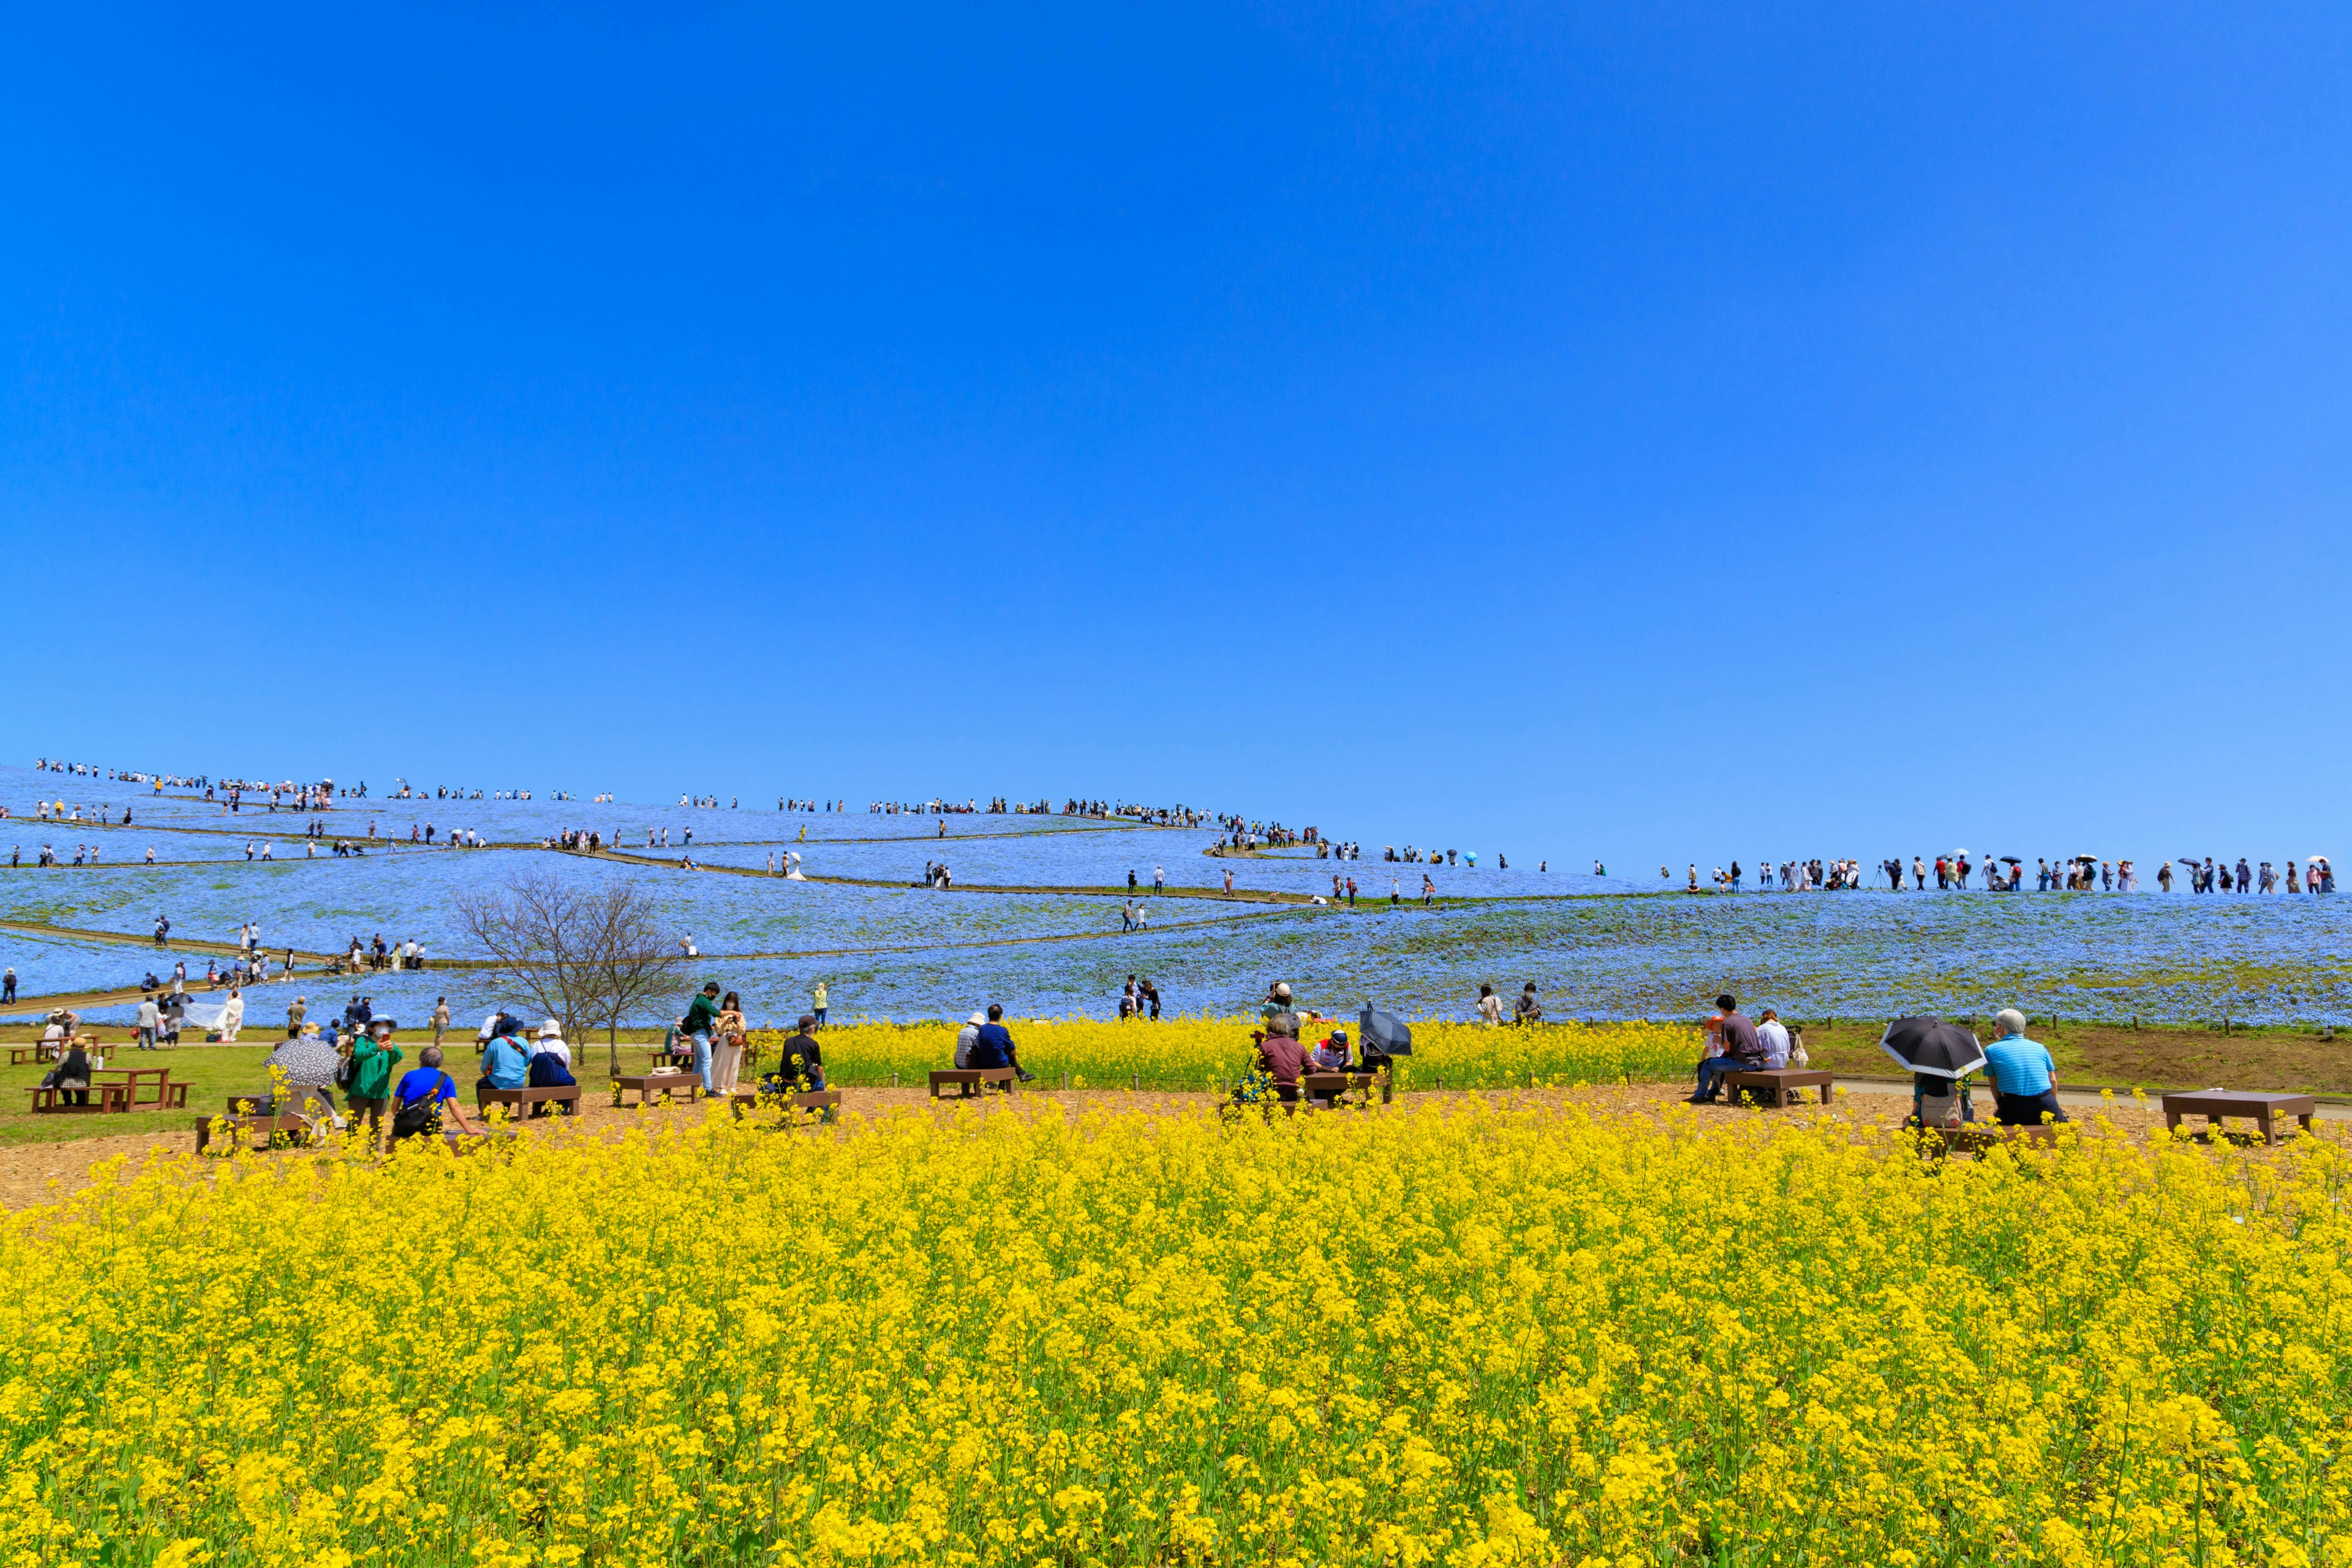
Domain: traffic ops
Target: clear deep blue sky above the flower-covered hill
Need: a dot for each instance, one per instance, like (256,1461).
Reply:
(1633,431)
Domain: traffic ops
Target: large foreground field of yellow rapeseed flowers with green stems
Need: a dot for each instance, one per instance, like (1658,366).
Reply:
(1438,1334)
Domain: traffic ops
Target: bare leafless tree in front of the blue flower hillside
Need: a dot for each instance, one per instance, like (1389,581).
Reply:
(587,956)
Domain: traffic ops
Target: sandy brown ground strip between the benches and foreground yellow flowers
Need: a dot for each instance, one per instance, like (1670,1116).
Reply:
(44,1174)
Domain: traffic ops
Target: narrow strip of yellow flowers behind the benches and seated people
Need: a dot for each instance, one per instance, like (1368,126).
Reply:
(1215,1052)
